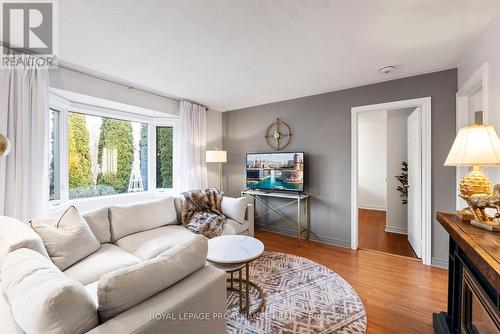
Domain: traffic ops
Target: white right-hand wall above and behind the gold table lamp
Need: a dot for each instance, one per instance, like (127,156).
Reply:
(485,48)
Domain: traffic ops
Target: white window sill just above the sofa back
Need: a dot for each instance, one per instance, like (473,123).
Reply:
(56,207)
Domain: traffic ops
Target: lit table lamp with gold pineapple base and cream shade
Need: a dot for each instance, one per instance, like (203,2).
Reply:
(476,146)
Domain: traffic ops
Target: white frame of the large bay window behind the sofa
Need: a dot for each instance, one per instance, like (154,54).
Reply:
(65,106)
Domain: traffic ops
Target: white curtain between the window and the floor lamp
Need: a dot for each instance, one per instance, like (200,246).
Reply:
(192,169)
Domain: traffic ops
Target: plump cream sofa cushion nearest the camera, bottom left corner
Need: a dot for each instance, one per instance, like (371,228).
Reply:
(42,298)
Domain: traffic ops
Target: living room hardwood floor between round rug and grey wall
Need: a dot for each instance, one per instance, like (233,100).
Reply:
(400,294)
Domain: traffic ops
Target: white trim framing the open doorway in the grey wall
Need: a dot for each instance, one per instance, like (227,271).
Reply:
(426,209)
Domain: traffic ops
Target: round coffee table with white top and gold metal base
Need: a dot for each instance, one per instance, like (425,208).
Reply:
(232,253)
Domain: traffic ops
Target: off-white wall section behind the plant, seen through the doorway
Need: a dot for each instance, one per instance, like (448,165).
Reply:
(397,151)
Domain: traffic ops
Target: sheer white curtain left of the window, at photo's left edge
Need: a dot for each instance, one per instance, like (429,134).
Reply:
(24,119)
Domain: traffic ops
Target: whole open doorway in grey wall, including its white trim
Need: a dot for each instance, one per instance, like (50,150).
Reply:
(390,178)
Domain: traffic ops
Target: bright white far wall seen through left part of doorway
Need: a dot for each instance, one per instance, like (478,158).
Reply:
(372,158)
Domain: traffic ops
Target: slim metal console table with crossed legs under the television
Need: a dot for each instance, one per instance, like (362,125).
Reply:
(302,222)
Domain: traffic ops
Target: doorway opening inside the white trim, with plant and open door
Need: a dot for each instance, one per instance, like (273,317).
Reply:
(384,140)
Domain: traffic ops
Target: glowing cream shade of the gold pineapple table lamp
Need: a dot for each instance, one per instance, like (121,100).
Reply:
(475,145)
